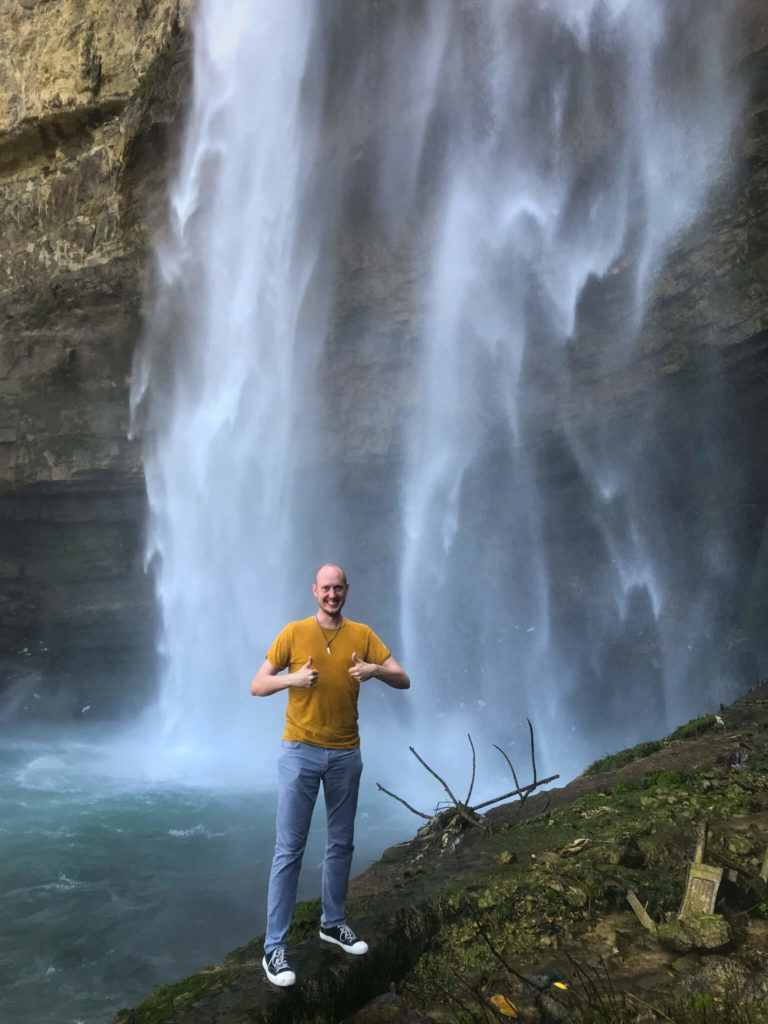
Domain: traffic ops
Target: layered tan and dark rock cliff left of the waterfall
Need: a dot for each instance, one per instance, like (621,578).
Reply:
(89,93)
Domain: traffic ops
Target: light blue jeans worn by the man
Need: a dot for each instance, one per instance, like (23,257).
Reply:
(301,771)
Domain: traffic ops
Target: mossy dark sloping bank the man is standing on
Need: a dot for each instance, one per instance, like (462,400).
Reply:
(528,916)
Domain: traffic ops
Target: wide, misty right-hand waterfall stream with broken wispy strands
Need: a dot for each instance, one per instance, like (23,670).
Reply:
(584,144)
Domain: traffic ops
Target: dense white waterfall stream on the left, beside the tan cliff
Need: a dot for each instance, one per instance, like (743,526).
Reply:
(224,390)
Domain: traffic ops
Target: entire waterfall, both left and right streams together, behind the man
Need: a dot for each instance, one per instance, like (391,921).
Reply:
(399,235)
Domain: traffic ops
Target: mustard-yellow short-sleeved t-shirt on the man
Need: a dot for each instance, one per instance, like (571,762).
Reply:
(325,715)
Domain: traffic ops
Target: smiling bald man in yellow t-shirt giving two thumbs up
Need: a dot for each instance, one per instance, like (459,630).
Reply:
(328,657)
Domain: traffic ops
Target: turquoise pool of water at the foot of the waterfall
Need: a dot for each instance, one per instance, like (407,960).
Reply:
(111,886)
